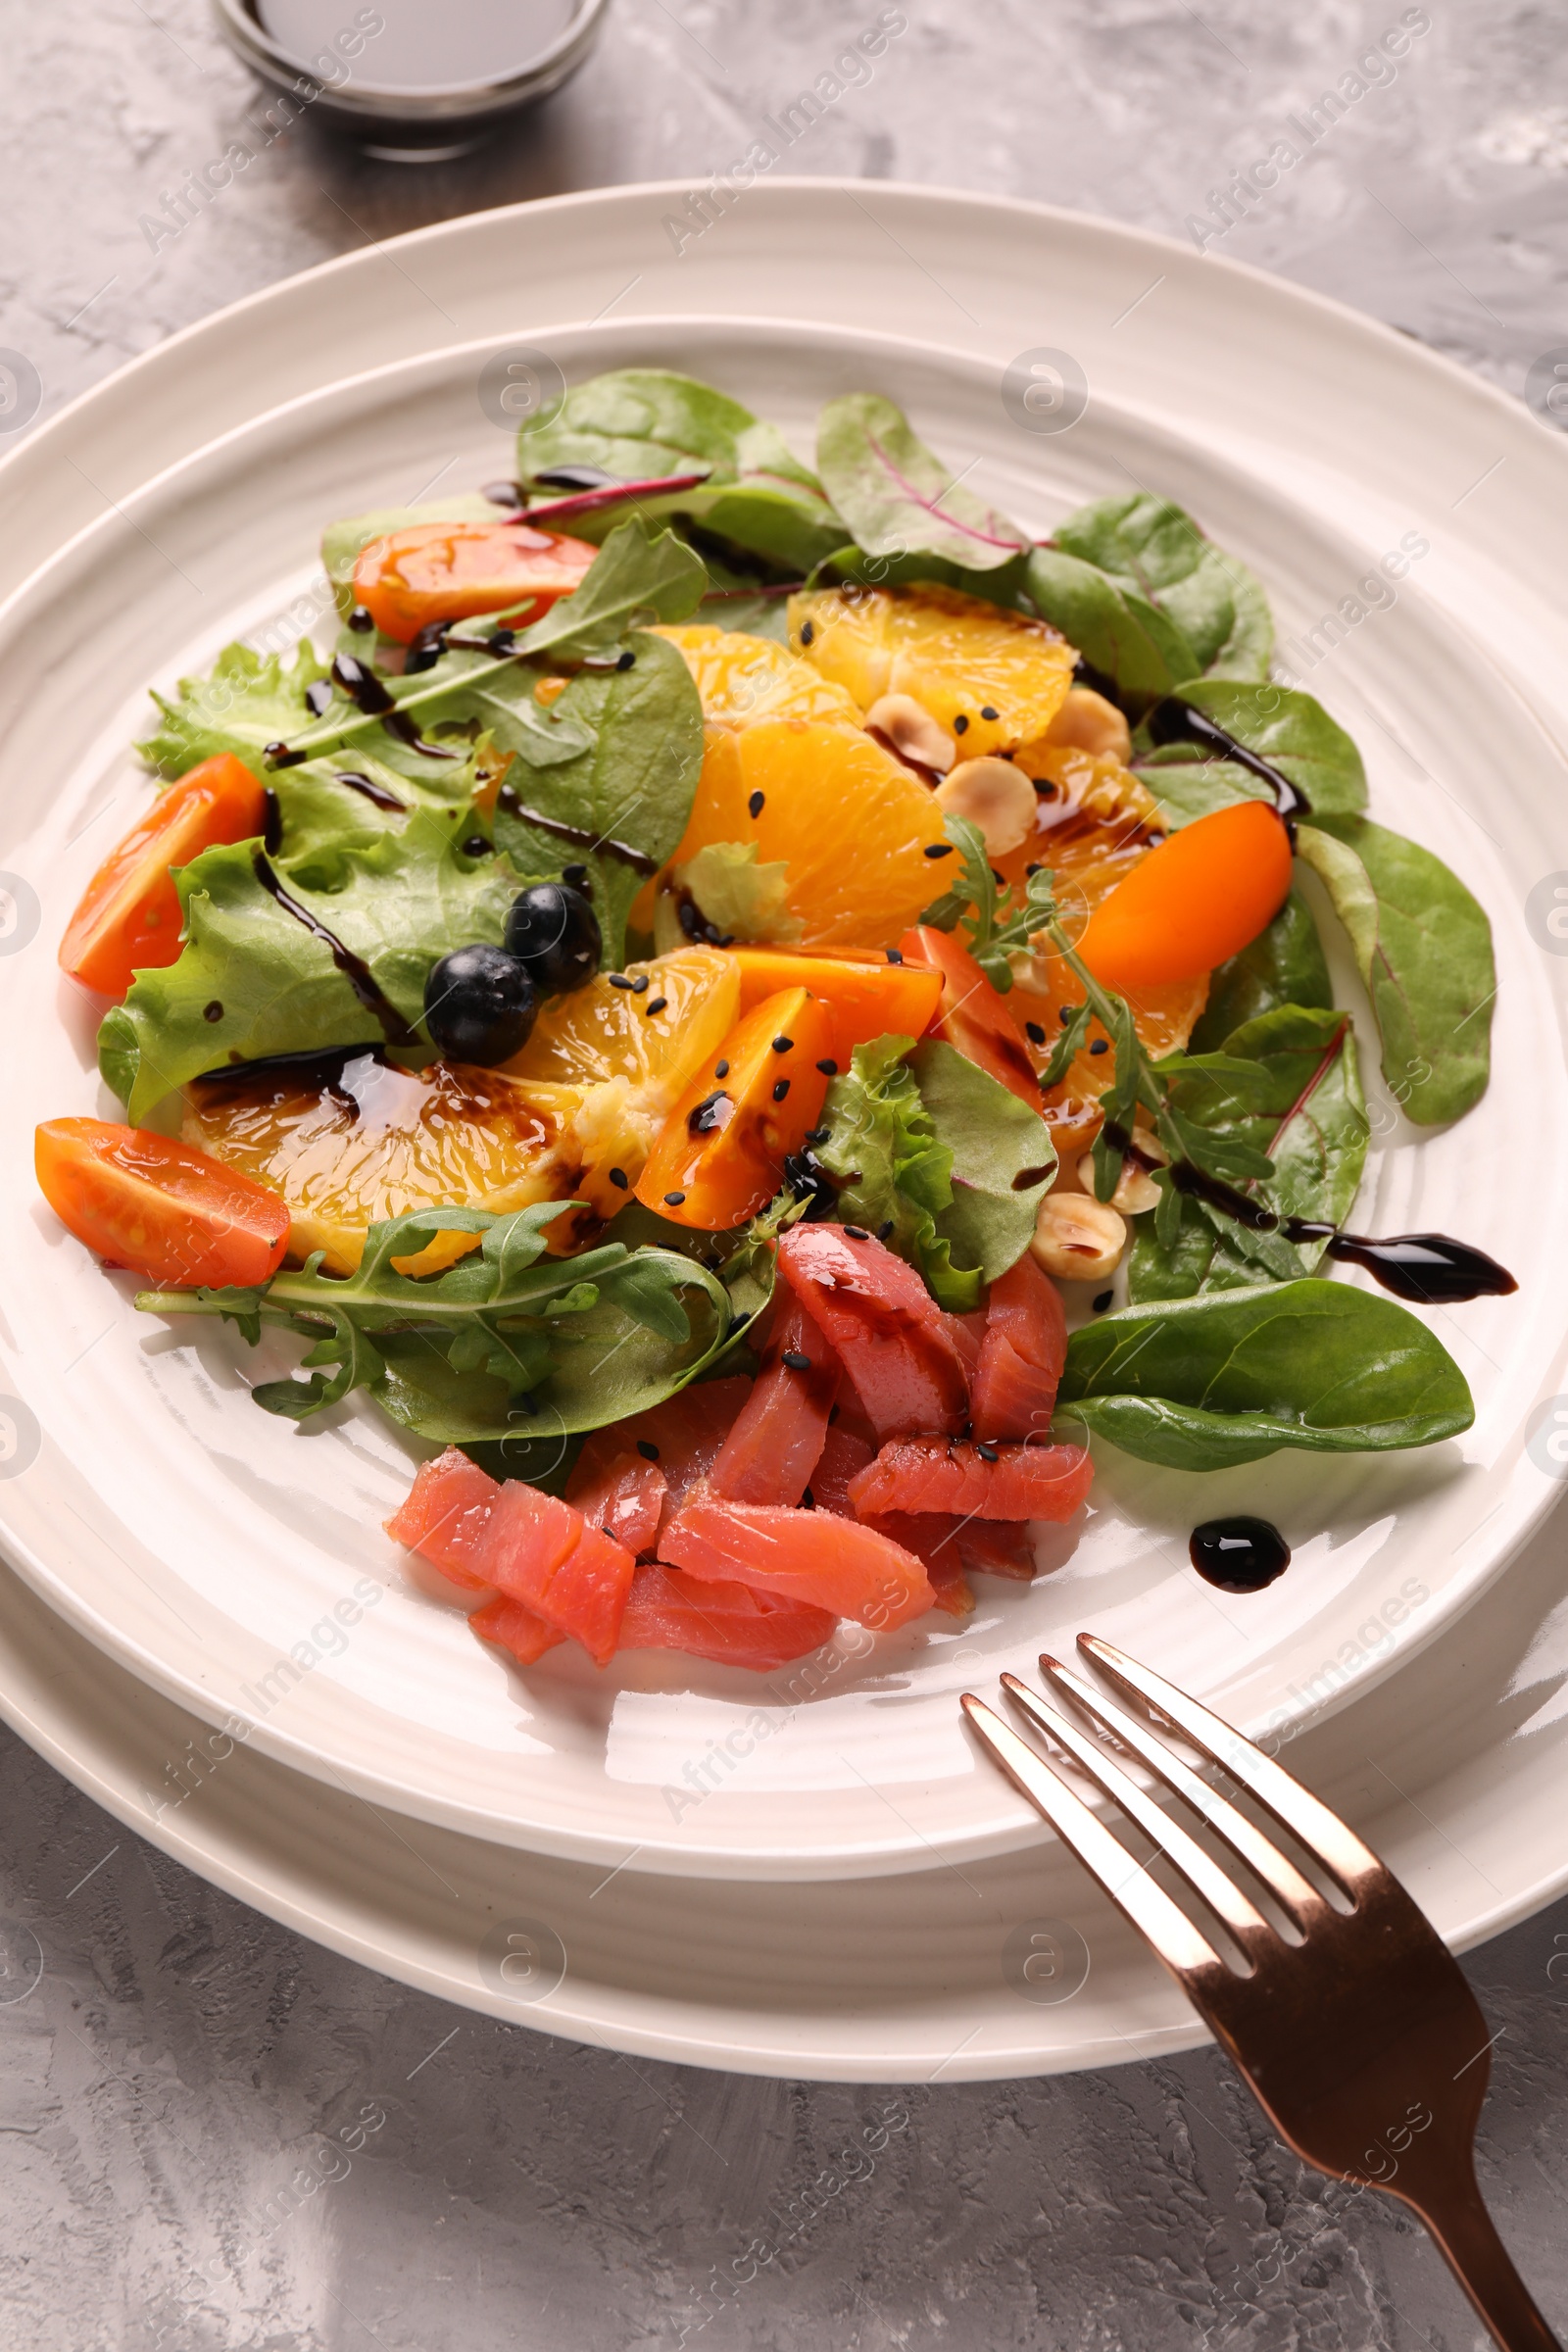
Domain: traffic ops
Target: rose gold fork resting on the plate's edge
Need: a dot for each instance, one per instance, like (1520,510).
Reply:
(1362,2043)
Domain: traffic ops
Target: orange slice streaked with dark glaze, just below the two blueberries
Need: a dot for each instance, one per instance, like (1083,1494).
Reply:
(368,1142)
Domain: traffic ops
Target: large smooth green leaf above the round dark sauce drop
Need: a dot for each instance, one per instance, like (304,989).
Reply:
(1202,1384)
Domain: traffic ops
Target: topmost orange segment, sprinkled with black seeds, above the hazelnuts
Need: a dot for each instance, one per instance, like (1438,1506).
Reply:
(993,679)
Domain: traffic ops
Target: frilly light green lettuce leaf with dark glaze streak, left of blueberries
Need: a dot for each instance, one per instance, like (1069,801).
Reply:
(398,902)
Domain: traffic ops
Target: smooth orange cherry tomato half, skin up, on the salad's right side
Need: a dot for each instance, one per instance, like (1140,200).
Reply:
(1193,902)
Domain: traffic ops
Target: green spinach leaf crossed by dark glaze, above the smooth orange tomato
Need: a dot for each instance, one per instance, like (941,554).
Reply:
(1282,726)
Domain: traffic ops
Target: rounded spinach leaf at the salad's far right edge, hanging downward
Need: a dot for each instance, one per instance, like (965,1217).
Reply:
(1426,954)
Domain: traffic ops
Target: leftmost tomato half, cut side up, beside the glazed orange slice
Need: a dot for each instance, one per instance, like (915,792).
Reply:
(159,1208)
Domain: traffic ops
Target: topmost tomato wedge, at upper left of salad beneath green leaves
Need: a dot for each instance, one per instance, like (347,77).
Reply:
(453,570)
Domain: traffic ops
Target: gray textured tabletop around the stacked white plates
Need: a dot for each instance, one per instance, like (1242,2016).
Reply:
(170,2073)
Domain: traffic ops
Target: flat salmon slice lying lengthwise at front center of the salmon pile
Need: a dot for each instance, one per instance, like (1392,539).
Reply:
(805,1556)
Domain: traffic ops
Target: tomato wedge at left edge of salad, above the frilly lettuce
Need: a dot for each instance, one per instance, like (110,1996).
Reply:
(130,918)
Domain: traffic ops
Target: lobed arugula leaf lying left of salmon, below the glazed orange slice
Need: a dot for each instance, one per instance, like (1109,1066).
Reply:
(504,1344)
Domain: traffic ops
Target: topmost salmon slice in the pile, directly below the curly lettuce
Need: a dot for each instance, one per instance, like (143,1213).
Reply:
(883,1323)
